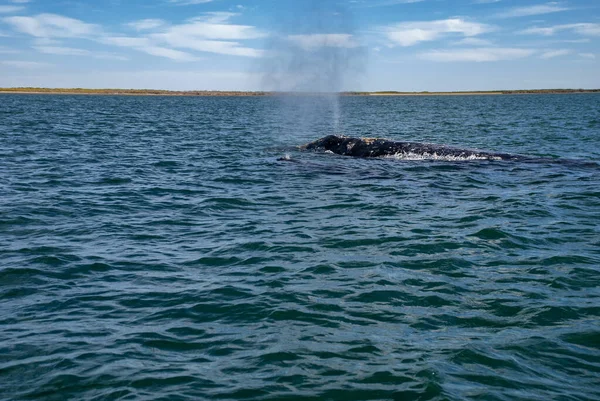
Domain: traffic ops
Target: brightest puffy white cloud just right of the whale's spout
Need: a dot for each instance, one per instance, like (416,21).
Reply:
(411,33)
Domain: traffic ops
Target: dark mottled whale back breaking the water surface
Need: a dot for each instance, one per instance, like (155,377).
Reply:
(379,147)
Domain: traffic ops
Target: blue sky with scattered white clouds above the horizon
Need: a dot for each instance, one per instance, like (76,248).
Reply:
(406,45)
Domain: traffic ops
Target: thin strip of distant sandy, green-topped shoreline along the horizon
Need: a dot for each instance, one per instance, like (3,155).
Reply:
(153,92)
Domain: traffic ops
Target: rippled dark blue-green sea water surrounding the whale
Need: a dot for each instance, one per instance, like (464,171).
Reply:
(155,249)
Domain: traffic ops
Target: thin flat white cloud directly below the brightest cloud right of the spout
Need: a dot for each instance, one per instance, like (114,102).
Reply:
(483,54)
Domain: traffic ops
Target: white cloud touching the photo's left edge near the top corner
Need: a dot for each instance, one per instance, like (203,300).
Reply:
(51,25)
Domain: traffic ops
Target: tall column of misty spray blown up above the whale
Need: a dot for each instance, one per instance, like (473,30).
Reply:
(314,54)
